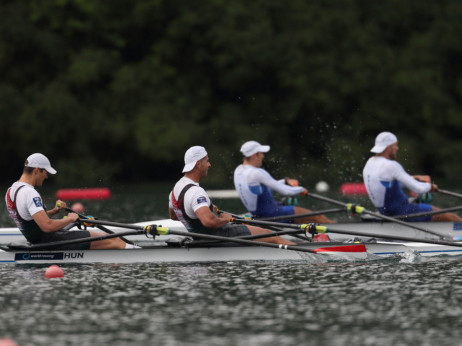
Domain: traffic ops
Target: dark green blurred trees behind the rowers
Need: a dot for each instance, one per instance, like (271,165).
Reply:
(118,90)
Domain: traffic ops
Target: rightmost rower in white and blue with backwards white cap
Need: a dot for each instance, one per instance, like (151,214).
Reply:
(384,178)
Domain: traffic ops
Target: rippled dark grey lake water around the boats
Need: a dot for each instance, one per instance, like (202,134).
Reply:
(396,301)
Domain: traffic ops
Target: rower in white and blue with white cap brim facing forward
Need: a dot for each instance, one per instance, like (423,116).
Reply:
(255,186)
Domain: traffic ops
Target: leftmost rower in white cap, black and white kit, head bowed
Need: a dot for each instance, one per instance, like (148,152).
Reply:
(26,207)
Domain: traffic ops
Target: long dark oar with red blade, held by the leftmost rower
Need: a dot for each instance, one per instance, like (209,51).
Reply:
(166,231)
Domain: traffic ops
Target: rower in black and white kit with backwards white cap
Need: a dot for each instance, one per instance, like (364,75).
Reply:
(190,204)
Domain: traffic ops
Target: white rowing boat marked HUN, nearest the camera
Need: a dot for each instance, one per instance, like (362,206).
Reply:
(228,252)
